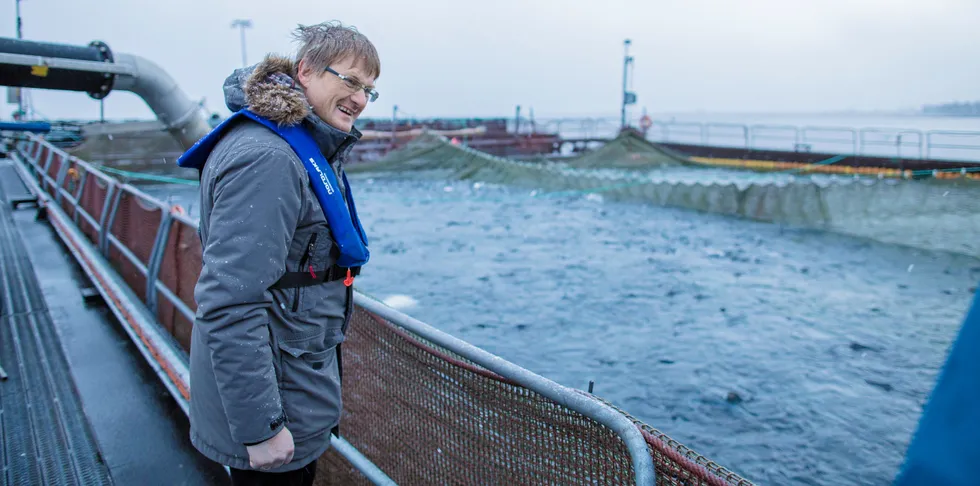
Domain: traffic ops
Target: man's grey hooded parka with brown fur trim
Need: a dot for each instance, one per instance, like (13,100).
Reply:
(263,358)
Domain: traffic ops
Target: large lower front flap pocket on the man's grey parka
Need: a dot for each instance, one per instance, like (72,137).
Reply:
(310,386)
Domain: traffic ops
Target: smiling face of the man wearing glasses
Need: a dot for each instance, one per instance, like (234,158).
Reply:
(334,100)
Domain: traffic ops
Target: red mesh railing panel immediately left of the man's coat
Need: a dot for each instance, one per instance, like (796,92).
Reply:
(179,272)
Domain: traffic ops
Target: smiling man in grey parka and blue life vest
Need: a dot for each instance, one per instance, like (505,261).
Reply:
(281,244)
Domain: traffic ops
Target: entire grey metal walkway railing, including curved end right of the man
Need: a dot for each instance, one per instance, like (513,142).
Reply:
(118,266)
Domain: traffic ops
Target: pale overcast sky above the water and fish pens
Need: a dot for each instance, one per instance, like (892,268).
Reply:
(561,57)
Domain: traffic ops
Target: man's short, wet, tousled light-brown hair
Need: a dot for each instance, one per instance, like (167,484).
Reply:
(326,43)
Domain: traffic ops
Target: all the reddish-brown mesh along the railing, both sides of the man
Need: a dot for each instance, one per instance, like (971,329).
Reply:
(419,412)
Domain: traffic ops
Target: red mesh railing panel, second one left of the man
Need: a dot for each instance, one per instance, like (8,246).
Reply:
(135,226)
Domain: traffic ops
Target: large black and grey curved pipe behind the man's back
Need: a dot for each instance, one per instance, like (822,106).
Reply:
(95,70)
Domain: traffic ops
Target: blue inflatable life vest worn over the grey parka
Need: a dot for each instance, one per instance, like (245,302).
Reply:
(341,215)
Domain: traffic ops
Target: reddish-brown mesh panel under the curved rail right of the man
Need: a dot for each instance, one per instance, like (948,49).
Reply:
(425,416)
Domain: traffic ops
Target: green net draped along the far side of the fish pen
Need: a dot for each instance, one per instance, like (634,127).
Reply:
(932,214)
